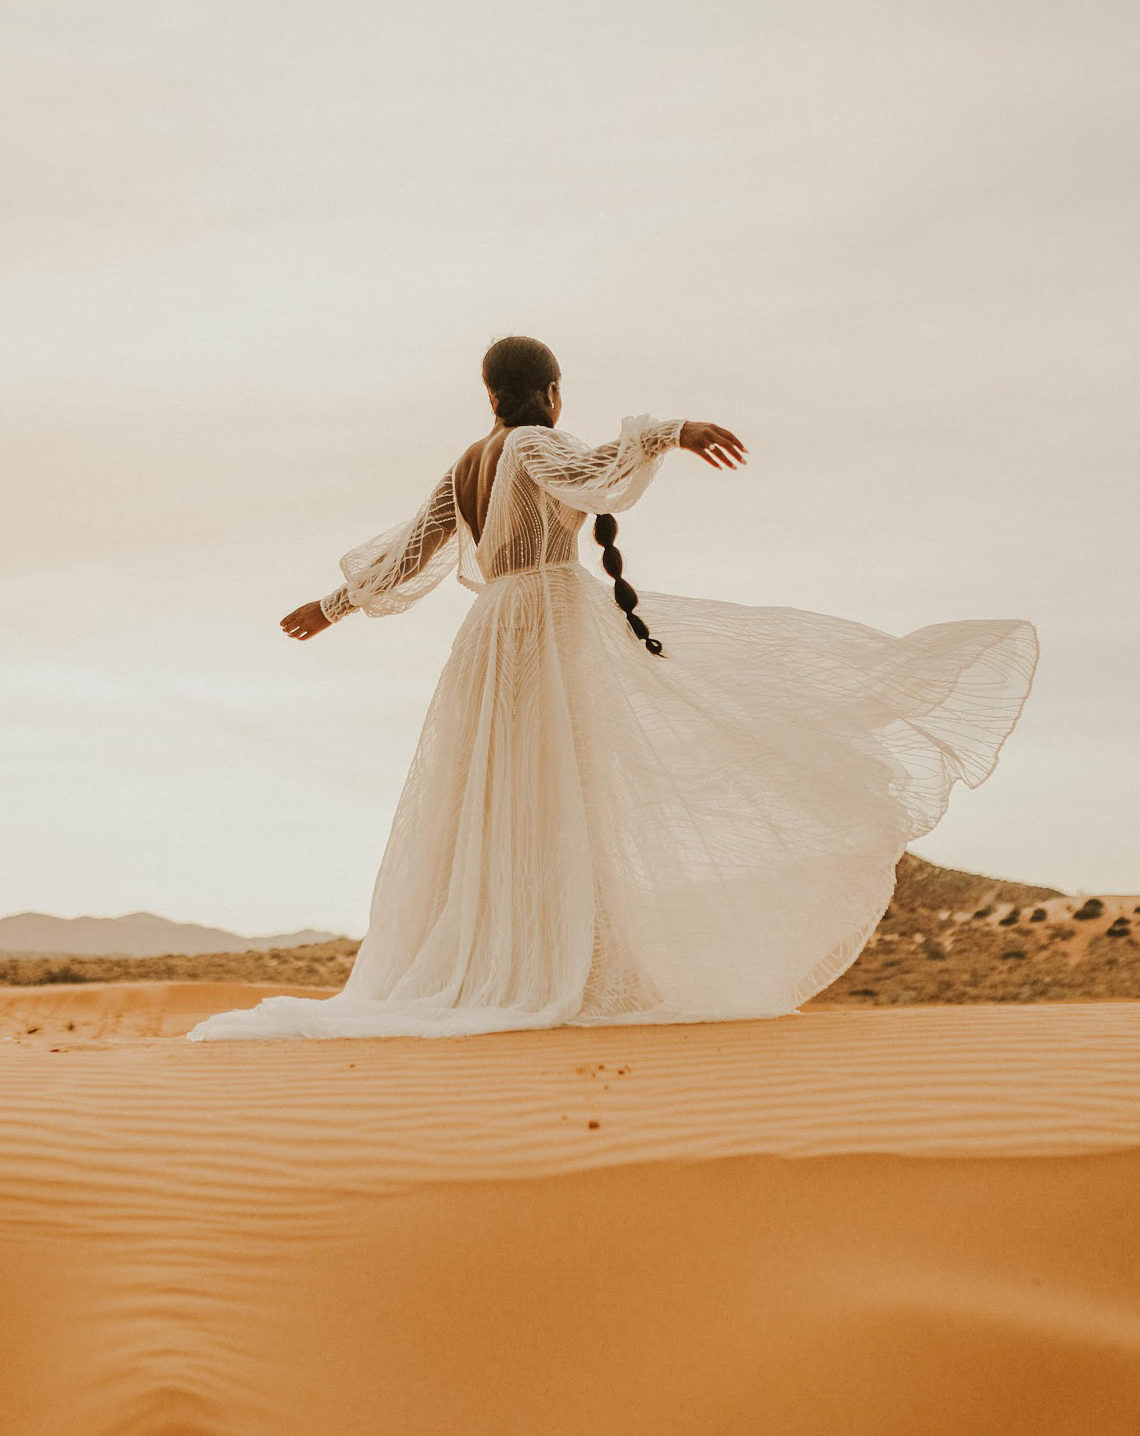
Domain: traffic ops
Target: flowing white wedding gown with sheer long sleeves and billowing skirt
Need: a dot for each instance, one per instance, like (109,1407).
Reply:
(591,834)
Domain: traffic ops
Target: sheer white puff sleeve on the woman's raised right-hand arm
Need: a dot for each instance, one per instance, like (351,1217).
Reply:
(598,480)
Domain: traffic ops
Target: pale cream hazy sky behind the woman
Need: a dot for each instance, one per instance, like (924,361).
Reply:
(253,255)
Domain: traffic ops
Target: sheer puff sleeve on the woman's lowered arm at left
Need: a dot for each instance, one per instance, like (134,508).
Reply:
(396,569)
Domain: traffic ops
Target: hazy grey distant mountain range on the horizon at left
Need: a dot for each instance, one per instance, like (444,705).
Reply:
(134,936)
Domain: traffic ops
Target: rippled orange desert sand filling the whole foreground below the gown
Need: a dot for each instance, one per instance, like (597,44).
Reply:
(842,1223)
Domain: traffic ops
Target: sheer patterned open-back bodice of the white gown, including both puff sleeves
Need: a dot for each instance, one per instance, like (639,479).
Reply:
(546,483)
